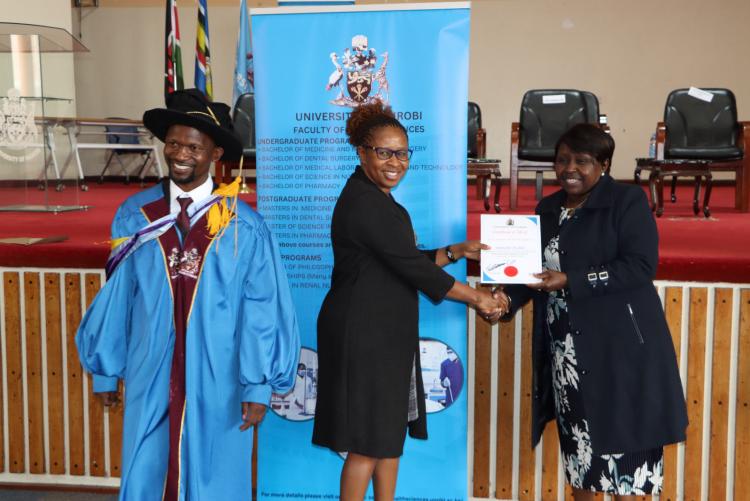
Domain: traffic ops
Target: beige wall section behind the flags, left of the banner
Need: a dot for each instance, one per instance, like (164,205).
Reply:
(123,75)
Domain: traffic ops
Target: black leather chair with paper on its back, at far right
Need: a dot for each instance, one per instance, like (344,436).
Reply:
(701,129)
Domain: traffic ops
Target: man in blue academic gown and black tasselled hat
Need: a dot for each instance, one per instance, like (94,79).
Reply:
(196,319)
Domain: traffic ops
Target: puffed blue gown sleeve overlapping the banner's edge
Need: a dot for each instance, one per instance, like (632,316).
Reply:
(269,336)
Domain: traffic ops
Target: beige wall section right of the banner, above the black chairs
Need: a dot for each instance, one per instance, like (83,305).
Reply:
(631,54)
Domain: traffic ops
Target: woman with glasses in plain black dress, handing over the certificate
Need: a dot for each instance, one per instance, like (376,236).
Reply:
(370,383)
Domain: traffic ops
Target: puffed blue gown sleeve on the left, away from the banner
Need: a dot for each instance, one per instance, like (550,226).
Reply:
(102,335)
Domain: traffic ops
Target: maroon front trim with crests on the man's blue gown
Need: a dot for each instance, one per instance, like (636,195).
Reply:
(184,263)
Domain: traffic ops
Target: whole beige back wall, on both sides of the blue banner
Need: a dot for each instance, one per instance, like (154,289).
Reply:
(631,54)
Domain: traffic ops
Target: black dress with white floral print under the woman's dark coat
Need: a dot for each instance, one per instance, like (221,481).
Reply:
(634,473)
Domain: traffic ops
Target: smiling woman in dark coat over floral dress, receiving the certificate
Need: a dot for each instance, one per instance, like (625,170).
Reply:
(603,359)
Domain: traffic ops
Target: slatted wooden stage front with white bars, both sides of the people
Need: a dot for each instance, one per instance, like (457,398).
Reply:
(706,315)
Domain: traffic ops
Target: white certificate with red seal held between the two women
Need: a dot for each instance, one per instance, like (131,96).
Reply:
(515,252)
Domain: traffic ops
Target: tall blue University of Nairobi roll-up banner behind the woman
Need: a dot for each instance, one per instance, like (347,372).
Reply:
(313,65)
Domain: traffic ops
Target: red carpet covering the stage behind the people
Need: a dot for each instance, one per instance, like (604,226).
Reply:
(691,248)
